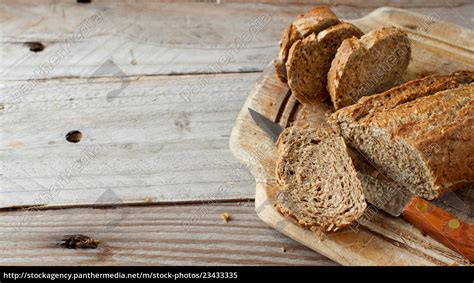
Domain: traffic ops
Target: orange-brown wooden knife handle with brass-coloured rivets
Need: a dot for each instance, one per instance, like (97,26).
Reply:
(442,226)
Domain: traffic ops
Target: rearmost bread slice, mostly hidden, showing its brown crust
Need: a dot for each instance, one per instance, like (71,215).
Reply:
(314,21)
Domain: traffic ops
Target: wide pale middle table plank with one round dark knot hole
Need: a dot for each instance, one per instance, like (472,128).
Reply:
(151,142)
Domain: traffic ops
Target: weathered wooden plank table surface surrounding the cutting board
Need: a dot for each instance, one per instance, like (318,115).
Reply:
(114,123)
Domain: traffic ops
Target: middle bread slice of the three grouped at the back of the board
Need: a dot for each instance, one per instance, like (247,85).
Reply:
(309,61)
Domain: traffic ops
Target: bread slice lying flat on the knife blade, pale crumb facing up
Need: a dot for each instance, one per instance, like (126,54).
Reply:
(318,185)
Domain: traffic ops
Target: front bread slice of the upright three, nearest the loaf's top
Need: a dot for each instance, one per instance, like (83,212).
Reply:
(368,65)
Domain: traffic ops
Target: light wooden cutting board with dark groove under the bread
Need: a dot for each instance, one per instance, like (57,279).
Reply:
(379,239)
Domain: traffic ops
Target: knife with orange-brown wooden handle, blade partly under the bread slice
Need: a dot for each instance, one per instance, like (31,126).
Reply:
(430,219)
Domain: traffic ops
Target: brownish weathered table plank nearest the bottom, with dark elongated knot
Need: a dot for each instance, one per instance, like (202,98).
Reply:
(151,235)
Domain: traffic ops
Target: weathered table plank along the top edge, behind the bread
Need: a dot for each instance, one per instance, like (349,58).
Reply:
(131,34)
